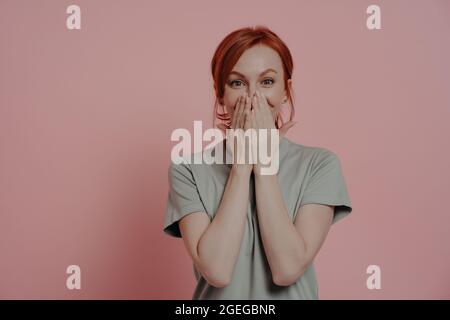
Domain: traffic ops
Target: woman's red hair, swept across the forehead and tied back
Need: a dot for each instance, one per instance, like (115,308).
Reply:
(228,53)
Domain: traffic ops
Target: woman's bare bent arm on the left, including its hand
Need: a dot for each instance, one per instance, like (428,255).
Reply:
(214,246)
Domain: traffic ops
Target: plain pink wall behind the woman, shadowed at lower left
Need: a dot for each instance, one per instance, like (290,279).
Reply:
(86,118)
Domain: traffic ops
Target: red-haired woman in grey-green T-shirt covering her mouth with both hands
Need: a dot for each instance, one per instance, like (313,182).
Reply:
(255,236)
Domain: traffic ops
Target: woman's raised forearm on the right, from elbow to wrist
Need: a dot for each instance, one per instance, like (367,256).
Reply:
(283,244)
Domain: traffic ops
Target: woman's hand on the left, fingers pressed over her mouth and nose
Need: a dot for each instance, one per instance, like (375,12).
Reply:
(236,141)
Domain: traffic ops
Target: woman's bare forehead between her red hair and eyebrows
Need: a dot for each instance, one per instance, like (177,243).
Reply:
(257,59)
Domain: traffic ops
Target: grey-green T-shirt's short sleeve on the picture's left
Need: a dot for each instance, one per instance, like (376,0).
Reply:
(183,197)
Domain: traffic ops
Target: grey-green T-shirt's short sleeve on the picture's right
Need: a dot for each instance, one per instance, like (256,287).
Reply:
(326,185)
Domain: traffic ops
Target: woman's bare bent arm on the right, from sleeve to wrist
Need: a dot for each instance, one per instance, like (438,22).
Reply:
(290,247)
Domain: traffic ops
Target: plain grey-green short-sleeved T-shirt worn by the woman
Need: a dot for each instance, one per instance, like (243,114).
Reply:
(306,175)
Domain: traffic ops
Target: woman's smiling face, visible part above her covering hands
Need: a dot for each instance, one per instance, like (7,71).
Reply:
(258,68)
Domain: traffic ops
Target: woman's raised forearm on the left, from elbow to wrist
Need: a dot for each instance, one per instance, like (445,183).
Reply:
(219,246)
